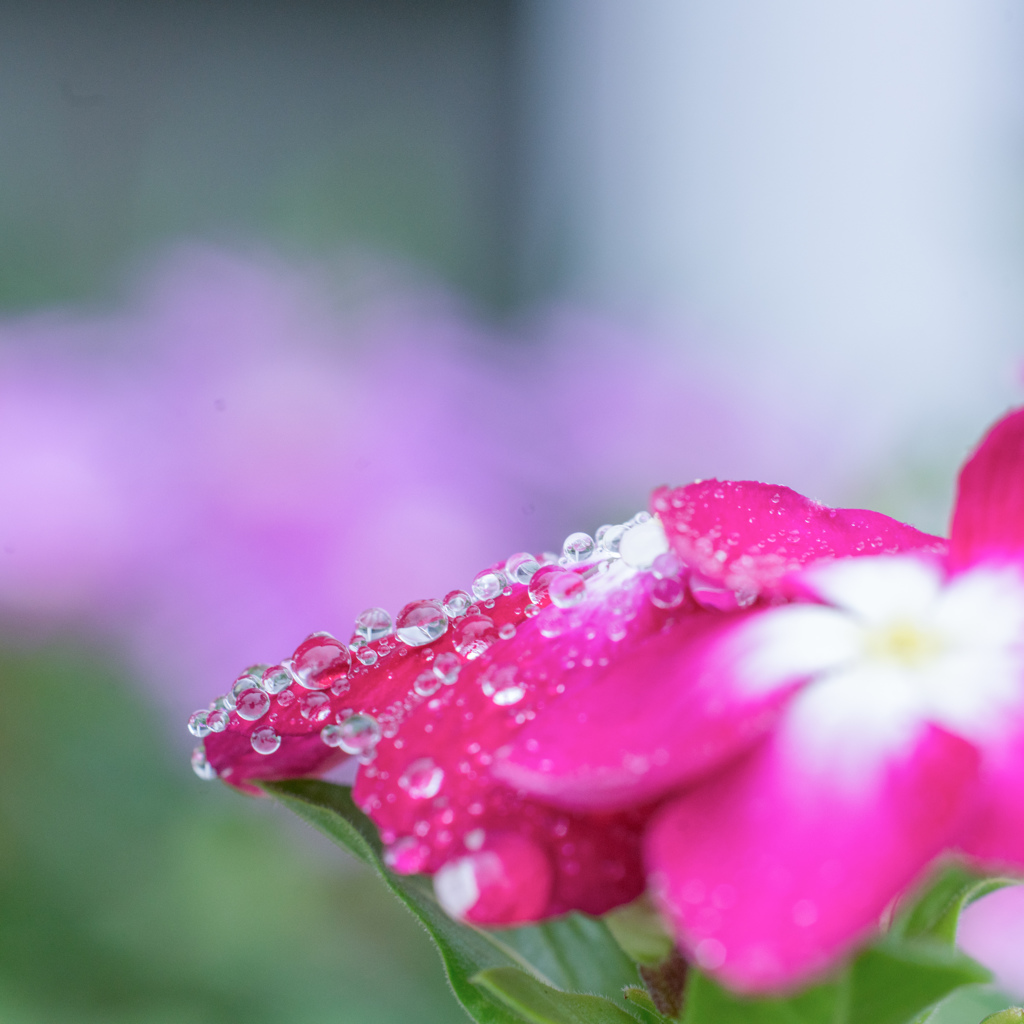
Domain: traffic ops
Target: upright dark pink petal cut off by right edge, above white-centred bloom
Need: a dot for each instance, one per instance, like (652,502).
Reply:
(989,519)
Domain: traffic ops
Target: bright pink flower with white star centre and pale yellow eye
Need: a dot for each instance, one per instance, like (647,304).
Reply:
(895,689)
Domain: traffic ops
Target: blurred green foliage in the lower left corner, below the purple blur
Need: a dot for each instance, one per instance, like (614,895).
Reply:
(133,892)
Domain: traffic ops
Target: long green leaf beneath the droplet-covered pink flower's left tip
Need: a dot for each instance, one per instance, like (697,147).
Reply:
(574,954)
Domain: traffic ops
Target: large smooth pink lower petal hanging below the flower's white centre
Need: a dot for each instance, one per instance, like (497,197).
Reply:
(772,874)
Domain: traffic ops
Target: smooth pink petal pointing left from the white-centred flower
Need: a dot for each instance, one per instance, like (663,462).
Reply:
(668,714)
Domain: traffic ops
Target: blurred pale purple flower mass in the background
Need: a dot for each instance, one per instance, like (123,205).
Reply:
(239,454)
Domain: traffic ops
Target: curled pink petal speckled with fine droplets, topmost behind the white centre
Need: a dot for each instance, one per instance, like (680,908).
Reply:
(748,536)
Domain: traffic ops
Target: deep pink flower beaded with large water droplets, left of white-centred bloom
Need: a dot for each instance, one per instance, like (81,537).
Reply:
(451,715)
